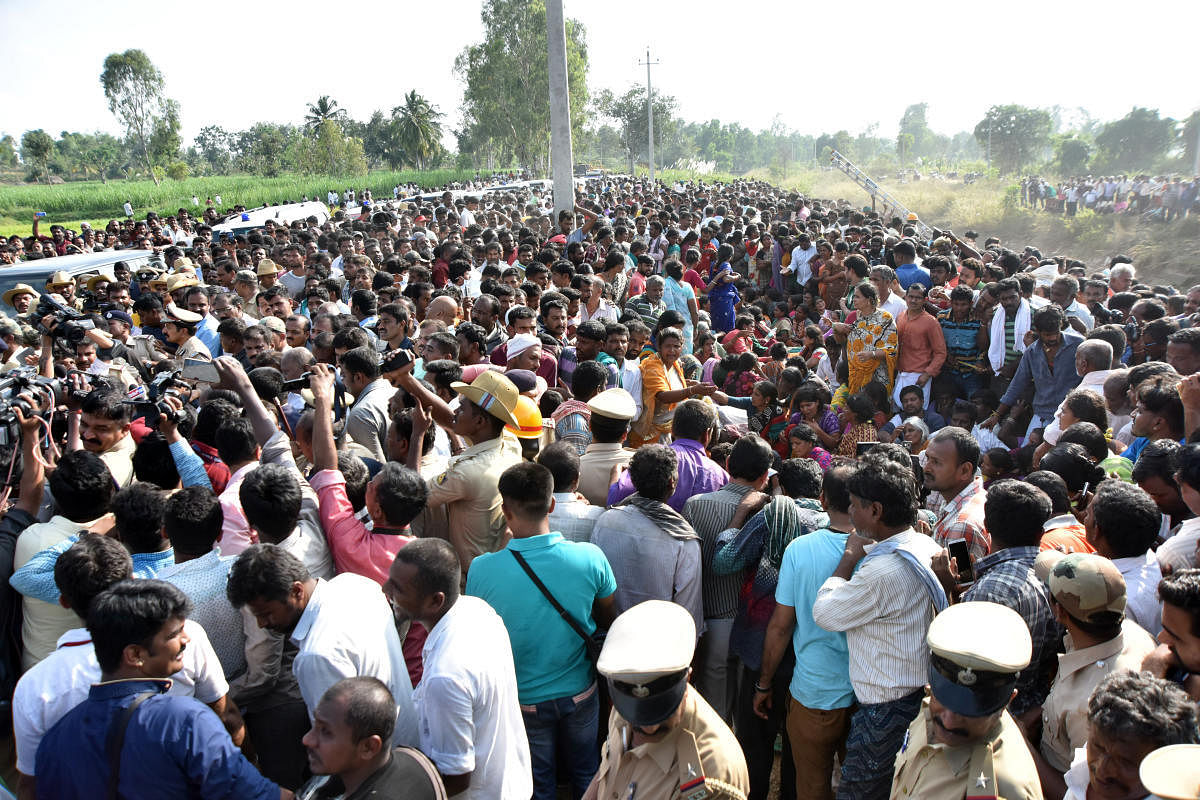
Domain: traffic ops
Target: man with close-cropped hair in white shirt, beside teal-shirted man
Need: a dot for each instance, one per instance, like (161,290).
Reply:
(471,724)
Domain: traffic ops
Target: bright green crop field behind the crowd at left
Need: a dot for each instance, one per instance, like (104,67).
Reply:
(98,203)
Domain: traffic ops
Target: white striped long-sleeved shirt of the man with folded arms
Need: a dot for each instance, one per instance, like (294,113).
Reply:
(885,611)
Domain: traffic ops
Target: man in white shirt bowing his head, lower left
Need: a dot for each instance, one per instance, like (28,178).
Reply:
(343,628)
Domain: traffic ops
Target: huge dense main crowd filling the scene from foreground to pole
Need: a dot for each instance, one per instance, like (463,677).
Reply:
(639,500)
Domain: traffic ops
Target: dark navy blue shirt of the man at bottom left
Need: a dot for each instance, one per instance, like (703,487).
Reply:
(175,748)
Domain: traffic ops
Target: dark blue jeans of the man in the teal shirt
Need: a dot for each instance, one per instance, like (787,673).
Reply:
(567,725)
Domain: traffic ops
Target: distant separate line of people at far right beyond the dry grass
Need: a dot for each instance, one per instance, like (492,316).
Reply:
(1165,199)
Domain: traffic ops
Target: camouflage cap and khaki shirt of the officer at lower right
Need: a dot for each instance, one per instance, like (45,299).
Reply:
(1091,590)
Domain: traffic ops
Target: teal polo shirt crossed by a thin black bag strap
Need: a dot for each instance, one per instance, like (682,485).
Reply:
(549,655)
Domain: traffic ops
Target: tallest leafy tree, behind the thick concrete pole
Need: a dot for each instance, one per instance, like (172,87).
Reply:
(506,100)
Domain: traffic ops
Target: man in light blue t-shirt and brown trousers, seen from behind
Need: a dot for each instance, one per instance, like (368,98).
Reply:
(819,720)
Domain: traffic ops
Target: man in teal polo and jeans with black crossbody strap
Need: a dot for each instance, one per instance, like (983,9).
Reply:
(556,681)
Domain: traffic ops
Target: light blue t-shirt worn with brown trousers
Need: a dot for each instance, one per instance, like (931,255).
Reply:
(821,679)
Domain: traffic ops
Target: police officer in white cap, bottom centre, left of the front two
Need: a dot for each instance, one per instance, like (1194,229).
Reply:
(665,743)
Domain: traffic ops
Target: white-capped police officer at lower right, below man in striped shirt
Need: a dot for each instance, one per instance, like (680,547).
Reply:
(964,743)
